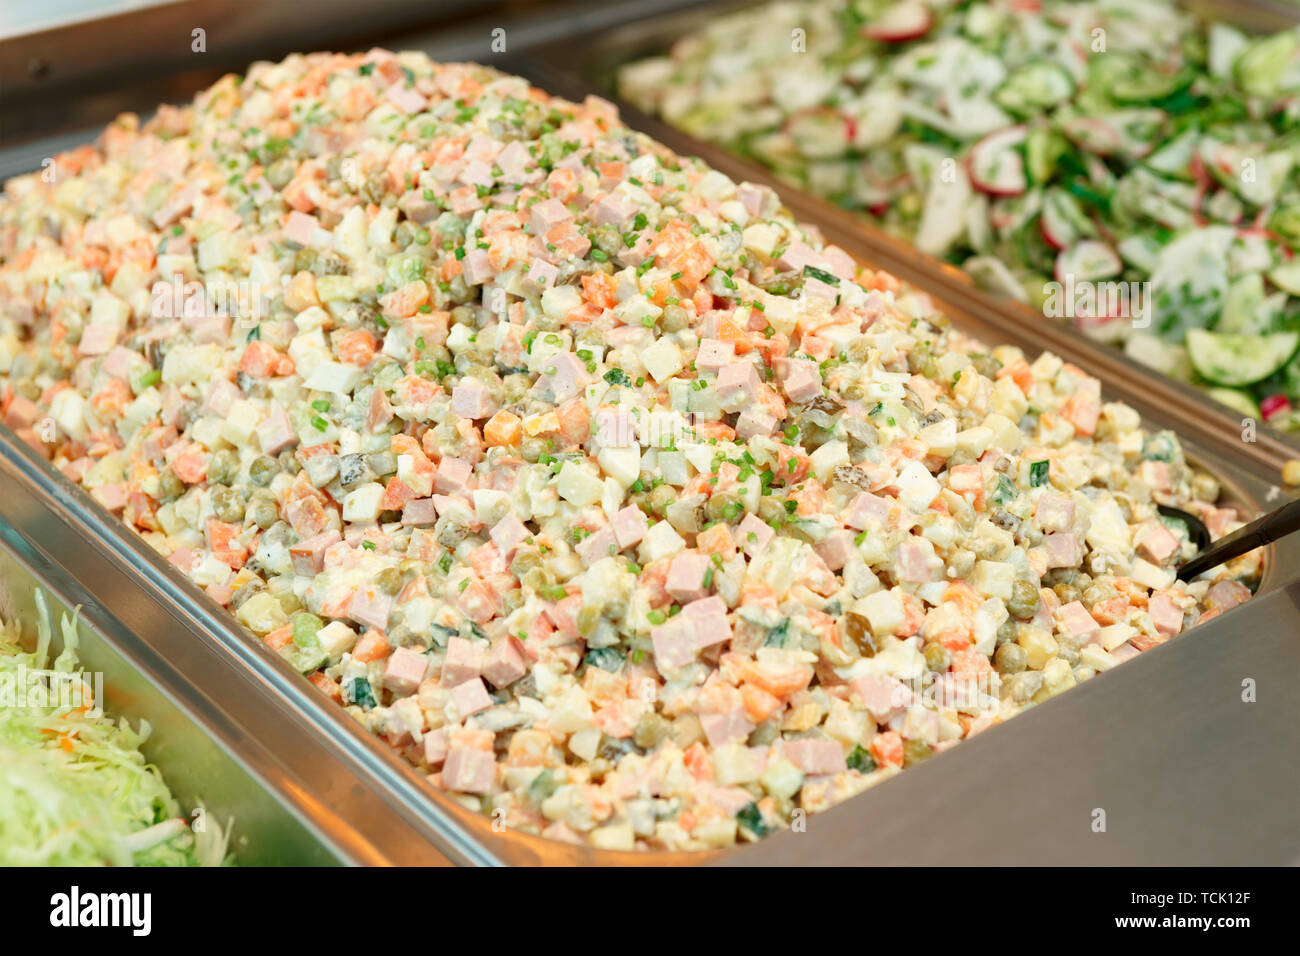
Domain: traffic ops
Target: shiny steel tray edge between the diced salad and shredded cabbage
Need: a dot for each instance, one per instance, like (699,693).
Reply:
(270,724)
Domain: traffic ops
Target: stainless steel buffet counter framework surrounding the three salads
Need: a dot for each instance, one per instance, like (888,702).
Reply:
(1164,743)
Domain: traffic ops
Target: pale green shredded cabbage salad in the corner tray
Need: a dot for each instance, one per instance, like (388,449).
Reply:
(75,788)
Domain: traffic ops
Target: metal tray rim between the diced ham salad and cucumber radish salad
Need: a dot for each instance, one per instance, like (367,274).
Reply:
(588,64)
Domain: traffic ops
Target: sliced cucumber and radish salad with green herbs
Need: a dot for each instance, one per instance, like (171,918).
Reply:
(1121,165)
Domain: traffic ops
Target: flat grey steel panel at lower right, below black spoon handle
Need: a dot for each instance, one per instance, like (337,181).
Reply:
(1186,772)
